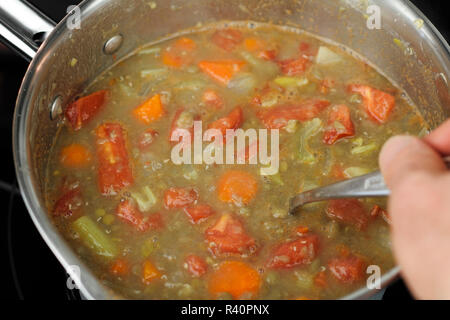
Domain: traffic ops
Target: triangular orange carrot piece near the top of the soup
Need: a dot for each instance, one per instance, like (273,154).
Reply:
(221,71)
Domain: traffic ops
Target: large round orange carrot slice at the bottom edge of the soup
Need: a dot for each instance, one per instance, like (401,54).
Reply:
(235,278)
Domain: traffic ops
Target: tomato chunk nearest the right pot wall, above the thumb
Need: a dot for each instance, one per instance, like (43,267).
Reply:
(378,104)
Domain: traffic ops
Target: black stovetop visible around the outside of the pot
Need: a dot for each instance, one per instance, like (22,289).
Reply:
(31,270)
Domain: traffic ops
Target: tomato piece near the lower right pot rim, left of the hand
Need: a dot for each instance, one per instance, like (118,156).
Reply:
(349,269)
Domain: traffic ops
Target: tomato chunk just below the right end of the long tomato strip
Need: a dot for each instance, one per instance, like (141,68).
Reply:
(340,124)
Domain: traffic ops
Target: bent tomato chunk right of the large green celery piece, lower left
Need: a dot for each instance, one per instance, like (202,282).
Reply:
(130,214)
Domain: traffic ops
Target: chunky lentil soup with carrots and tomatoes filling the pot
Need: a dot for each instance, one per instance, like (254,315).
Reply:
(151,229)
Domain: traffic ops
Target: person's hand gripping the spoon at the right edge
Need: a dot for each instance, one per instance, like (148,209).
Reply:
(419,207)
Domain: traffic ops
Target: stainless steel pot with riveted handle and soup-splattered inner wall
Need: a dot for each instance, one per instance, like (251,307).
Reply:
(407,48)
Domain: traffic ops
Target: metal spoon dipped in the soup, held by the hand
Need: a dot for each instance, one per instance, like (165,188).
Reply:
(366,186)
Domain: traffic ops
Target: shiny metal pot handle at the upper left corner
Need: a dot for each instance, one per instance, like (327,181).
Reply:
(23,28)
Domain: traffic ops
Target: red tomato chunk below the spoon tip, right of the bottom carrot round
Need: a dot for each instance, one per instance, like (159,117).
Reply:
(294,253)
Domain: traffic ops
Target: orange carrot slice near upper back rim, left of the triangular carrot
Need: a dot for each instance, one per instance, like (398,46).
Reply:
(179,54)
